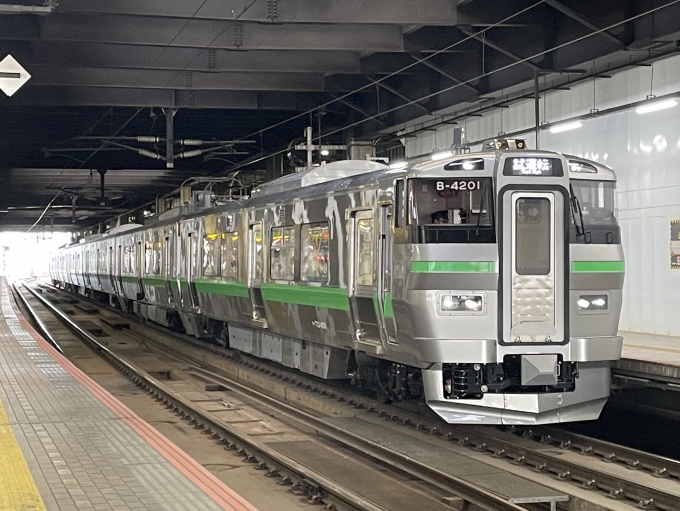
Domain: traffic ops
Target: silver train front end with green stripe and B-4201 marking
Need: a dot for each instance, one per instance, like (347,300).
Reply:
(513,271)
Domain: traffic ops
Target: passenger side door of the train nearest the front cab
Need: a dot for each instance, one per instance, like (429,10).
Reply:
(366,280)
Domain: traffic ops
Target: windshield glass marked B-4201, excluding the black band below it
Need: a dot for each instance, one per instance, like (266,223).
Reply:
(464,202)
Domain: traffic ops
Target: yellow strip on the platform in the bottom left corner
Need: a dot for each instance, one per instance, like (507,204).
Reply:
(18,491)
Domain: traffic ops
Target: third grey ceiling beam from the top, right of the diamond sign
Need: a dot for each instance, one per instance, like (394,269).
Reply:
(191,59)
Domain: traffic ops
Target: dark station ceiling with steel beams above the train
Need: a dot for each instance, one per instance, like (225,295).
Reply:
(244,77)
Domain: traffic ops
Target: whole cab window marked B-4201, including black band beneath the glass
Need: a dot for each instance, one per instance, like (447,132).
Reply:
(451,210)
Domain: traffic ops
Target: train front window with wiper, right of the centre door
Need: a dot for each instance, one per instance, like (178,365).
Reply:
(593,208)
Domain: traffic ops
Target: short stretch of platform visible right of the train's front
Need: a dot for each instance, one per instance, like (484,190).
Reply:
(650,357)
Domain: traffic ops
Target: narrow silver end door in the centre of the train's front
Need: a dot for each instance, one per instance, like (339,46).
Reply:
(533,279)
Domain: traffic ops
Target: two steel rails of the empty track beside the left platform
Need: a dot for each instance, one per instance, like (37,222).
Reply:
(318,488)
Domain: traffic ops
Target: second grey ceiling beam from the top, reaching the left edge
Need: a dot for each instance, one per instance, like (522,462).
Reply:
(234,35)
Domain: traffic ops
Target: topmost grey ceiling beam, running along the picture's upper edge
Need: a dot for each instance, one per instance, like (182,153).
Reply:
(400,12)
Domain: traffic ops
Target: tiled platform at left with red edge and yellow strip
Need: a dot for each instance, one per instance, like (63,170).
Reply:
(69,445)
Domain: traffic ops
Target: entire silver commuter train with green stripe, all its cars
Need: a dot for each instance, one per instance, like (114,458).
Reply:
(488,283)
